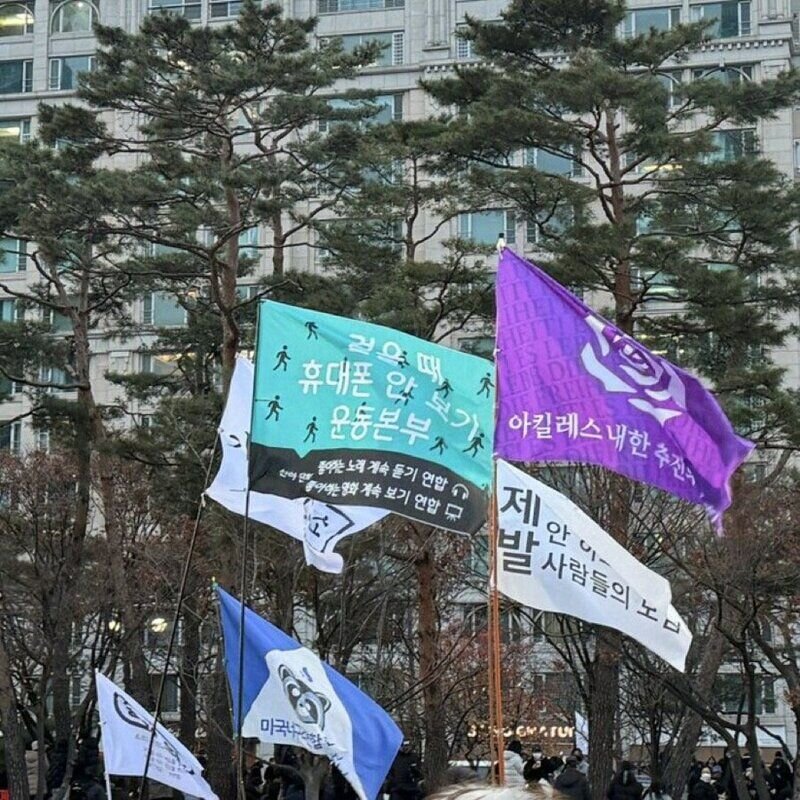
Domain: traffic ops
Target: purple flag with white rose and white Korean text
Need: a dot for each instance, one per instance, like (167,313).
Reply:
(573,387)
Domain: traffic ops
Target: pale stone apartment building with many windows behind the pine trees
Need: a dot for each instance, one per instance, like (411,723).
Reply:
(46,44)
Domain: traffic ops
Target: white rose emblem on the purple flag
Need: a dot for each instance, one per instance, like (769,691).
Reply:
(623,365)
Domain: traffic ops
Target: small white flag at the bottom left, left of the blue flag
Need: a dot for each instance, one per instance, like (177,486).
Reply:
(125,730)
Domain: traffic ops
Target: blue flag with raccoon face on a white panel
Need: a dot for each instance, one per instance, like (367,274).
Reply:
(291,697)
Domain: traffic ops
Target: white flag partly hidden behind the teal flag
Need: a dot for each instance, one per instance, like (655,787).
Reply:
(318,525)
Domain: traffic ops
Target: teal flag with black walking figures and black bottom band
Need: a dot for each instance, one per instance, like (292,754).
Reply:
(359,414)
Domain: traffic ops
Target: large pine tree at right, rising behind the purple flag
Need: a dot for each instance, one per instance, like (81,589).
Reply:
(674,205)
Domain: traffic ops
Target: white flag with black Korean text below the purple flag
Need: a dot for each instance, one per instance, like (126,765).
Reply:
(553,557)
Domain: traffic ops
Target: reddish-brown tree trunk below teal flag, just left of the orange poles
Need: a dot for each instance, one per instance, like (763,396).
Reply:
(434,761)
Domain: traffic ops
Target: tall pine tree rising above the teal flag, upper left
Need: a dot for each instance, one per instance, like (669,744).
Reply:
(228,127)
